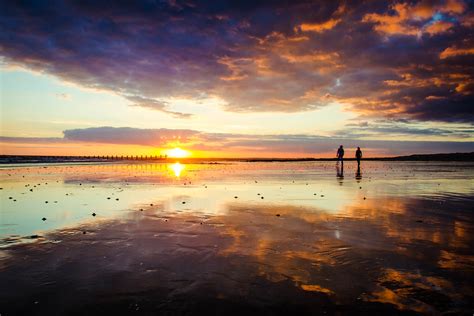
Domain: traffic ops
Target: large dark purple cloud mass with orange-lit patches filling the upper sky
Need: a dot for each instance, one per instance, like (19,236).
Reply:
(394,59)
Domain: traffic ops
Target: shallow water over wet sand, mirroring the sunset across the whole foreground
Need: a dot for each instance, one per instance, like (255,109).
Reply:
(237,237)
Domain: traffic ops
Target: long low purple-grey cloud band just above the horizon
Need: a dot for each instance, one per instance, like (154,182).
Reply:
(256,145)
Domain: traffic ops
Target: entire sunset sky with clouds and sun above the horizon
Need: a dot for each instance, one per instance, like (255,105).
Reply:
(236,78)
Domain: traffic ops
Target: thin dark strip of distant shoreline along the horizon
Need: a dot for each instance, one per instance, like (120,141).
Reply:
(12,159)
